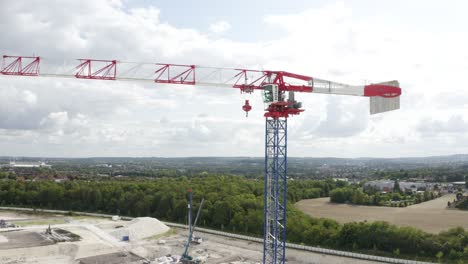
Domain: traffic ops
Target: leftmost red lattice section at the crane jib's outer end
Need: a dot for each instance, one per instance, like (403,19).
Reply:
(13,65)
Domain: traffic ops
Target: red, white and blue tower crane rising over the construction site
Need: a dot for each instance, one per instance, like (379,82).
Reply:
(278,88)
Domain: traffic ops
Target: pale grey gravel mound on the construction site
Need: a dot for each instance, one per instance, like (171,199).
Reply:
(140,228)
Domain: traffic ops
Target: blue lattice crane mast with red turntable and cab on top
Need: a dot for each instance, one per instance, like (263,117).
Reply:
(275,192)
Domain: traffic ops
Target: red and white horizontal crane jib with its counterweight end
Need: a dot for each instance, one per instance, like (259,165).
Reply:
(383,96)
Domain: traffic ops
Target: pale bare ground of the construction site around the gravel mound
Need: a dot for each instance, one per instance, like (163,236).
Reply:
(97,246)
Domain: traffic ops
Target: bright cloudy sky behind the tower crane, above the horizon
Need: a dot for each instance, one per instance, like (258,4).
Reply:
(423,44)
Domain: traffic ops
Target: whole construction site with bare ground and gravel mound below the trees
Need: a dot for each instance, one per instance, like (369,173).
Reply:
(53,239)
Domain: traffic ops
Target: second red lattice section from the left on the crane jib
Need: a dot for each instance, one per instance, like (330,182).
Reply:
(106,72)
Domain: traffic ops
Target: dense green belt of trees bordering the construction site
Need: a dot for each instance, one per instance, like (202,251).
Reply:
(235,204)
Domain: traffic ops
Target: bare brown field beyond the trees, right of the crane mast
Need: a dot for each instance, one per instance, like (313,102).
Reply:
(431,216)
